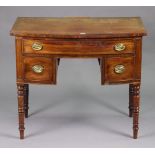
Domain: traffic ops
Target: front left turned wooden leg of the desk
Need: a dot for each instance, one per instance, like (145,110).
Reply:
(21,110)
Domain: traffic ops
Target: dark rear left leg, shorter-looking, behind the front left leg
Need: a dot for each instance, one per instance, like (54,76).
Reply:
(26,99)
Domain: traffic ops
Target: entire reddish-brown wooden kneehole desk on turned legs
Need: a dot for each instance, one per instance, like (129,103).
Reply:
(41,42)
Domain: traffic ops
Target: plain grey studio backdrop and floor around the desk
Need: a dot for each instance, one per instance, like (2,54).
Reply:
(78,111)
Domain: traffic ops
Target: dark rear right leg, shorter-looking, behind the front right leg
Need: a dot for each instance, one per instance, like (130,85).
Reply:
(130,100)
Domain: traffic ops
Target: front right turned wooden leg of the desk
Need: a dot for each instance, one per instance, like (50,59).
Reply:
(136,99)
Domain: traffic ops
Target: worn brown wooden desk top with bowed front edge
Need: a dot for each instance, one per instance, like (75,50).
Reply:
(78,27)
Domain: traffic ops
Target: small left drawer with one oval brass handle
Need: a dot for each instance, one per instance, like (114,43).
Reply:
(40,70)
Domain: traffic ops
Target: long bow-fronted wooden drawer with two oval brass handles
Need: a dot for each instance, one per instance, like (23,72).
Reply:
(76,46)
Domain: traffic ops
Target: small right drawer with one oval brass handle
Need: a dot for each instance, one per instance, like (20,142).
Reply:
(118,69)
